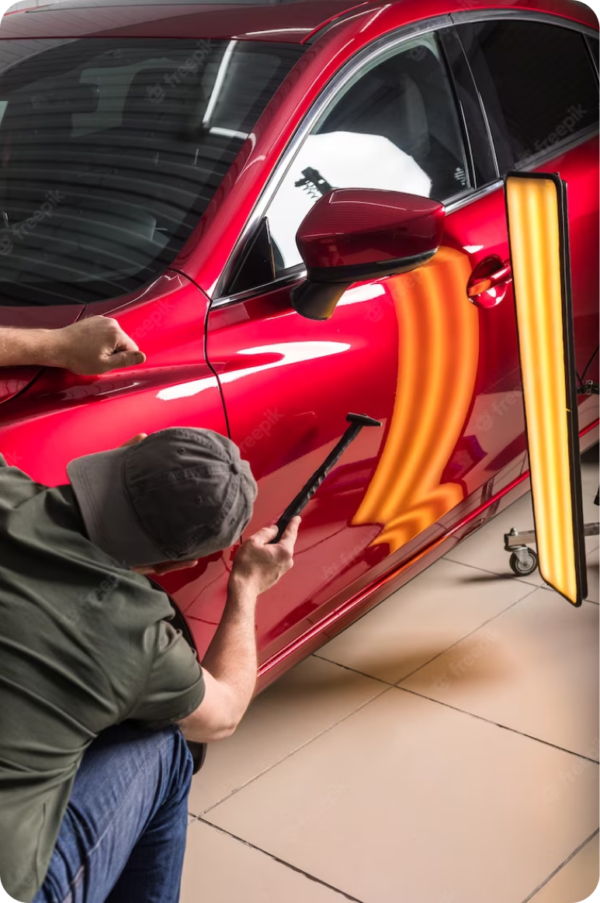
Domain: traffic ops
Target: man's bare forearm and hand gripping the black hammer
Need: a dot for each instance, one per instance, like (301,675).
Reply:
(230,665)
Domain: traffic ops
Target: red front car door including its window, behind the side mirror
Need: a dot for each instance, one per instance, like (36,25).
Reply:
(412,350)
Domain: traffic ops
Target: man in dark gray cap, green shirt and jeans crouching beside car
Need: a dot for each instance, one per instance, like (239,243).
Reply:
(97,690)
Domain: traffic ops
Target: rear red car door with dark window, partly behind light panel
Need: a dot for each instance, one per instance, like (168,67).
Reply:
(540,88)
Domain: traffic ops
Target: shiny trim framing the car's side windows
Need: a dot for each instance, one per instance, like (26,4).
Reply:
(355,66)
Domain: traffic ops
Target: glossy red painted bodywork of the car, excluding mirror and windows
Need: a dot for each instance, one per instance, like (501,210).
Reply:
(441,373)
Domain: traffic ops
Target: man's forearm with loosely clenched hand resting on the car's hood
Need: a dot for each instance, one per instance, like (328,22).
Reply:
(91,347)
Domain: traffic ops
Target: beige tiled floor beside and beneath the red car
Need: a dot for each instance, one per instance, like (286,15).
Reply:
(443,749)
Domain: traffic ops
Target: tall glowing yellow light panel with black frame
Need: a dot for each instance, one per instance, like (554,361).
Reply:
(539,239)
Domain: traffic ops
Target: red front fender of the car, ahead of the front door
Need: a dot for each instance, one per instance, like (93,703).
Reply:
(63,416)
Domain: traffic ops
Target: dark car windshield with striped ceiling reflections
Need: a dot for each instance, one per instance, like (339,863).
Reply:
(110,152)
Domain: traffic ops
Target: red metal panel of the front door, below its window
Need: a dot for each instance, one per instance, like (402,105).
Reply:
(412,351)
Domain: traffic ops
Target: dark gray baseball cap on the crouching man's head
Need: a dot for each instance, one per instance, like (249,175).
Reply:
(180,494)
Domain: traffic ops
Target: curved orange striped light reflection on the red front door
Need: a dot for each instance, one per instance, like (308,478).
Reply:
(437,368)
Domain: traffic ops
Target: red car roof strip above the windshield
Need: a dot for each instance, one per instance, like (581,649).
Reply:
(291,21)
